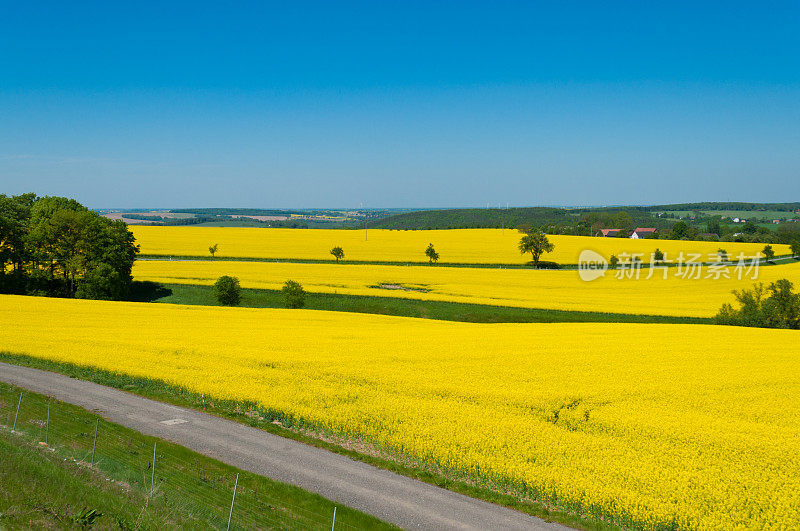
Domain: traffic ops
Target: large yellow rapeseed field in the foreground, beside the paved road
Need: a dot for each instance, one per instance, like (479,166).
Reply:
(657,425)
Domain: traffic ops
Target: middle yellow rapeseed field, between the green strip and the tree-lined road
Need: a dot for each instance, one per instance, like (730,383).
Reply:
(560,290)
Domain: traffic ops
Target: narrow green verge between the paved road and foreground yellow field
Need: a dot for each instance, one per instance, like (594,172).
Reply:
(237,411)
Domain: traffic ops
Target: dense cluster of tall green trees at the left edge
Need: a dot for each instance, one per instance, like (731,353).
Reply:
(54,246)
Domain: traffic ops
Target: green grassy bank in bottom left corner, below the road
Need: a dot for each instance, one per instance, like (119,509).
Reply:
(55,485)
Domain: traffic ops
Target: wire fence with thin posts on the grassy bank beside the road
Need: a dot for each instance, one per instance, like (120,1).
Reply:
(209,493)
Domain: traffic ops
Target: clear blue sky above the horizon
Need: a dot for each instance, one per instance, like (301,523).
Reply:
(400,104)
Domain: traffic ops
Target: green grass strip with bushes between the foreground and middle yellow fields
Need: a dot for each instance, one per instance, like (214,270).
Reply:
(447,311)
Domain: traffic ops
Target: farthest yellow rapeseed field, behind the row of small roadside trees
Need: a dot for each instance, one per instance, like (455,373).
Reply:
(469,246)
